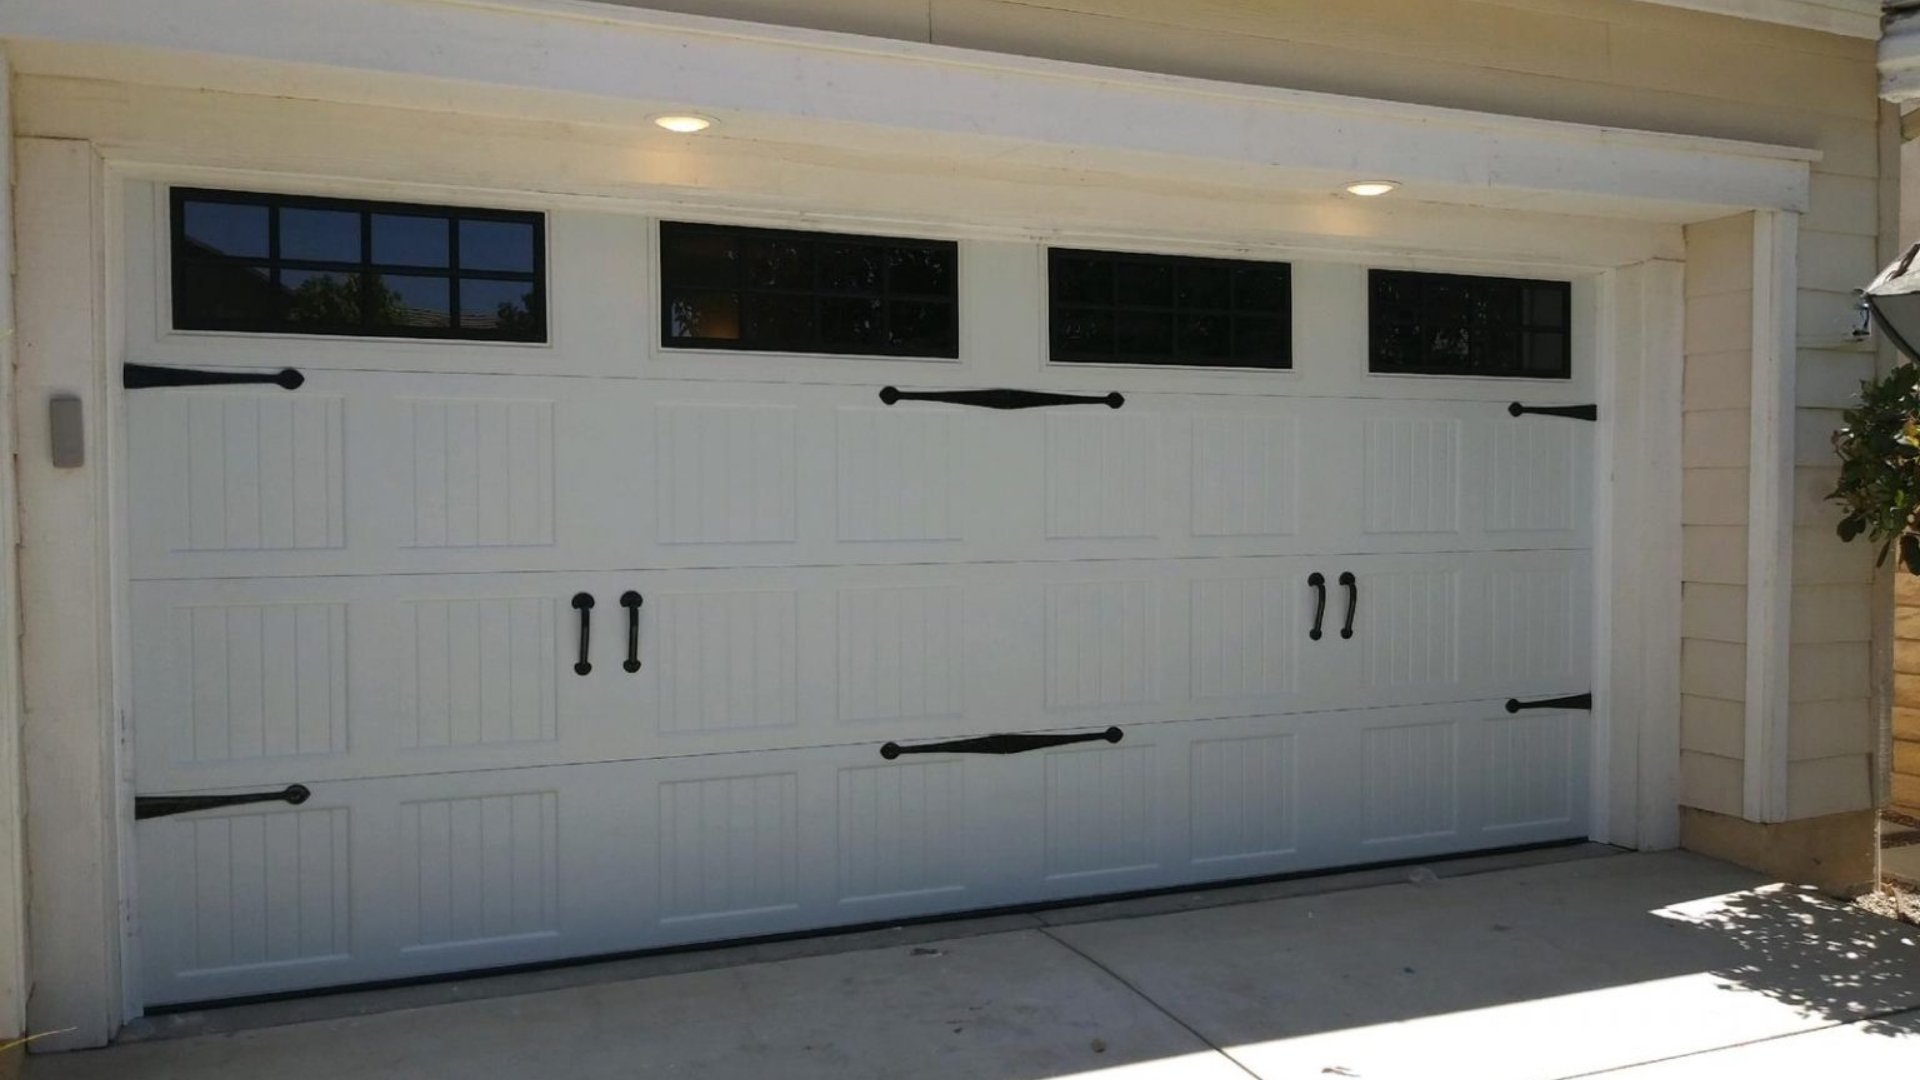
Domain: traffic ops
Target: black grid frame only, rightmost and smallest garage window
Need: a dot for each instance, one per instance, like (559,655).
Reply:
(1516,322)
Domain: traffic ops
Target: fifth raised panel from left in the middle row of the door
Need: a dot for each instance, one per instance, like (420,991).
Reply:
(1101,645)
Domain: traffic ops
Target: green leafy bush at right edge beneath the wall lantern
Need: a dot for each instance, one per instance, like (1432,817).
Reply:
(1881,466)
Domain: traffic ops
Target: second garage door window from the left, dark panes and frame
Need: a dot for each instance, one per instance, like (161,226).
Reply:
(815,293)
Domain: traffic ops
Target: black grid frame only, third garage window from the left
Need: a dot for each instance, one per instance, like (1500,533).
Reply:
(1234,312)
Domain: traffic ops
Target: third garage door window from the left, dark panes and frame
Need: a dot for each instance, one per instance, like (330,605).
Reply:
(1130,308)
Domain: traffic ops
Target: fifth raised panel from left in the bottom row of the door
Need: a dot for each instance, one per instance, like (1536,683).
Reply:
(1101,812)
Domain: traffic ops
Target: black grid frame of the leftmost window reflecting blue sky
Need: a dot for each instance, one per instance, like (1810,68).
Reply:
(185,258)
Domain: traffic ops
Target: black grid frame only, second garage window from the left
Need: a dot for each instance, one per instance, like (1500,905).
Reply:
(817,293)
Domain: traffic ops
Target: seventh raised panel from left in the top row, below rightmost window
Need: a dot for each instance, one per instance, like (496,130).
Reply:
(1412,476)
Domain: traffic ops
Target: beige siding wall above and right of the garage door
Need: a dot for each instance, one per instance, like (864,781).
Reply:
(1610,62)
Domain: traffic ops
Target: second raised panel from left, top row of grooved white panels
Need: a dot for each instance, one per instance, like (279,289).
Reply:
(483,474)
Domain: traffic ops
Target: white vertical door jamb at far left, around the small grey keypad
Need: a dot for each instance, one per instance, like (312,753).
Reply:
(70,745)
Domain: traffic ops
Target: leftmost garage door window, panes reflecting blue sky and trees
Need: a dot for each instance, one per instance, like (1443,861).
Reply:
(320,266)
